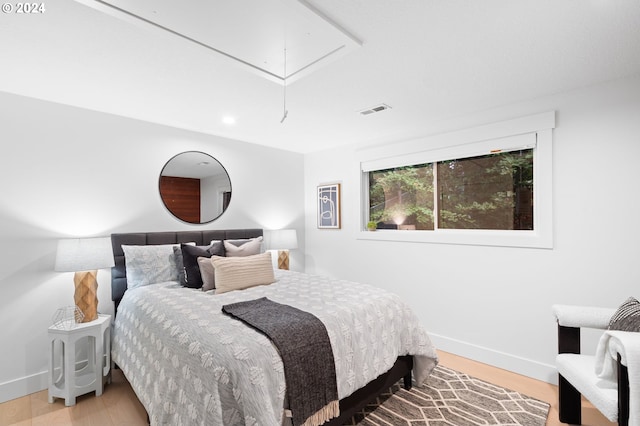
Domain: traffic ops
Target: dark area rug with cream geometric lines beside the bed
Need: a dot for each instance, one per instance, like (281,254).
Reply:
(453,398)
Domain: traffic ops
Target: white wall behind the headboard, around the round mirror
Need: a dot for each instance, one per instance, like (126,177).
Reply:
(69,172)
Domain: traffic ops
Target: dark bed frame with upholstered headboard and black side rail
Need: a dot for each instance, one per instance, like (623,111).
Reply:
(349,406)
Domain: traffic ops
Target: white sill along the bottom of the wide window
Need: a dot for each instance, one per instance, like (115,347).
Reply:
(523,239)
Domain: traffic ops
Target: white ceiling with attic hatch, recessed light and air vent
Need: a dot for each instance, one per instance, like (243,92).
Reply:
(429,60)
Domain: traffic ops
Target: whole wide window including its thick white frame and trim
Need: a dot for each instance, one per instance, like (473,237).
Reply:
(495,191)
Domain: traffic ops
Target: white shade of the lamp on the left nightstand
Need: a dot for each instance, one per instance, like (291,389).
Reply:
(84,254)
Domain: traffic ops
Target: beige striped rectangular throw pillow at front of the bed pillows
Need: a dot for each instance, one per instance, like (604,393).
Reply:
(238,273)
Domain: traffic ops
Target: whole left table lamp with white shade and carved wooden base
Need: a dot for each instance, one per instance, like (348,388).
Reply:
(85,256)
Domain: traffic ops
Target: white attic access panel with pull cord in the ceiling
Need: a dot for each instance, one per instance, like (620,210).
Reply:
(250,33)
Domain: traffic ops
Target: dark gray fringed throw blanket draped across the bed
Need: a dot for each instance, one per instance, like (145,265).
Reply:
(306,353)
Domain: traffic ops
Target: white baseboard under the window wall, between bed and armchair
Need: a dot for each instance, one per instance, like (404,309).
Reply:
(526,367)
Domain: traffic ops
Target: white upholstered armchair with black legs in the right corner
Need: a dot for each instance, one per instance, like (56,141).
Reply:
(609,379)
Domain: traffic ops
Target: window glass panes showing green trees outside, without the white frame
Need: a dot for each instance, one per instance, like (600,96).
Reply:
(492,191)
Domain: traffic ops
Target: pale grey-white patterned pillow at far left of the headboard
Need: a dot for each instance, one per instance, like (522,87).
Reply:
(150,264)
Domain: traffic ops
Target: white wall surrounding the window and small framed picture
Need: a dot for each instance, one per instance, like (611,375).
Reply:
(493,304)
